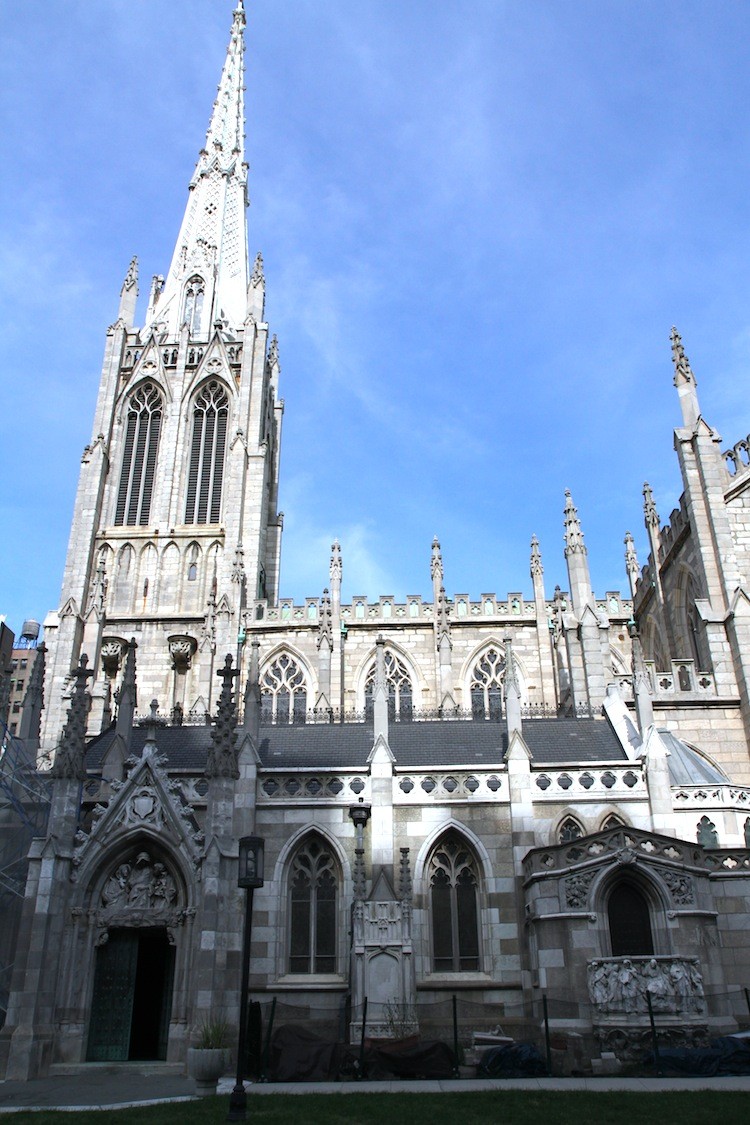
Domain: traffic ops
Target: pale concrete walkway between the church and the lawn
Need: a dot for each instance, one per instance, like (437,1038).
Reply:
(119,1087)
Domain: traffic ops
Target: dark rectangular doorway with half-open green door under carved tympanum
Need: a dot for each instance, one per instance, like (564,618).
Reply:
(132,996)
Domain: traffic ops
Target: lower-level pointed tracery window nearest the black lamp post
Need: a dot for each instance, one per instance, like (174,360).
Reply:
(313,893)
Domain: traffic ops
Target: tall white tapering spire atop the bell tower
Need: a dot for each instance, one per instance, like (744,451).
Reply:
(209,278)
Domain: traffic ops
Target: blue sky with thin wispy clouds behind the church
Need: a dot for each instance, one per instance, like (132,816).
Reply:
(480,221)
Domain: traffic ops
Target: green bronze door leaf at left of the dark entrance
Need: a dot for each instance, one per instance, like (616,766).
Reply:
(114,991)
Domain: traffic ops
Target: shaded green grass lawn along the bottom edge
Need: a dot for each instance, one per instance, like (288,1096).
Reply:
(516,1108)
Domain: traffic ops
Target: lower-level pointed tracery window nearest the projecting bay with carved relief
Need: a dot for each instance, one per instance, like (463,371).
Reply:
(454,903)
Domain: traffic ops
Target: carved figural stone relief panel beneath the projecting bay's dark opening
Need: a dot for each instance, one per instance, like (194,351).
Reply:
(621,988)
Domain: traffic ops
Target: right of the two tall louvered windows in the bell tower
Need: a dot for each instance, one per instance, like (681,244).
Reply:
(206,472)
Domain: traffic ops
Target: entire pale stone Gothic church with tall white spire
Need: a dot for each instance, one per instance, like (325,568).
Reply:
(503,798)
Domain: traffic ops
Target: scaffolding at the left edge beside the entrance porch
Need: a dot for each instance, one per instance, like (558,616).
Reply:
(25,797)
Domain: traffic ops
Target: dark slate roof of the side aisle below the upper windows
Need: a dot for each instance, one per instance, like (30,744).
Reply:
(414,745)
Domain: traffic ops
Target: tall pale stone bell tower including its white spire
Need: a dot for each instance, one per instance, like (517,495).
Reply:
(176,524)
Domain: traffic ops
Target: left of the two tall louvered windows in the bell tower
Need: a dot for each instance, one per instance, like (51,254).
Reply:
(144,421)
